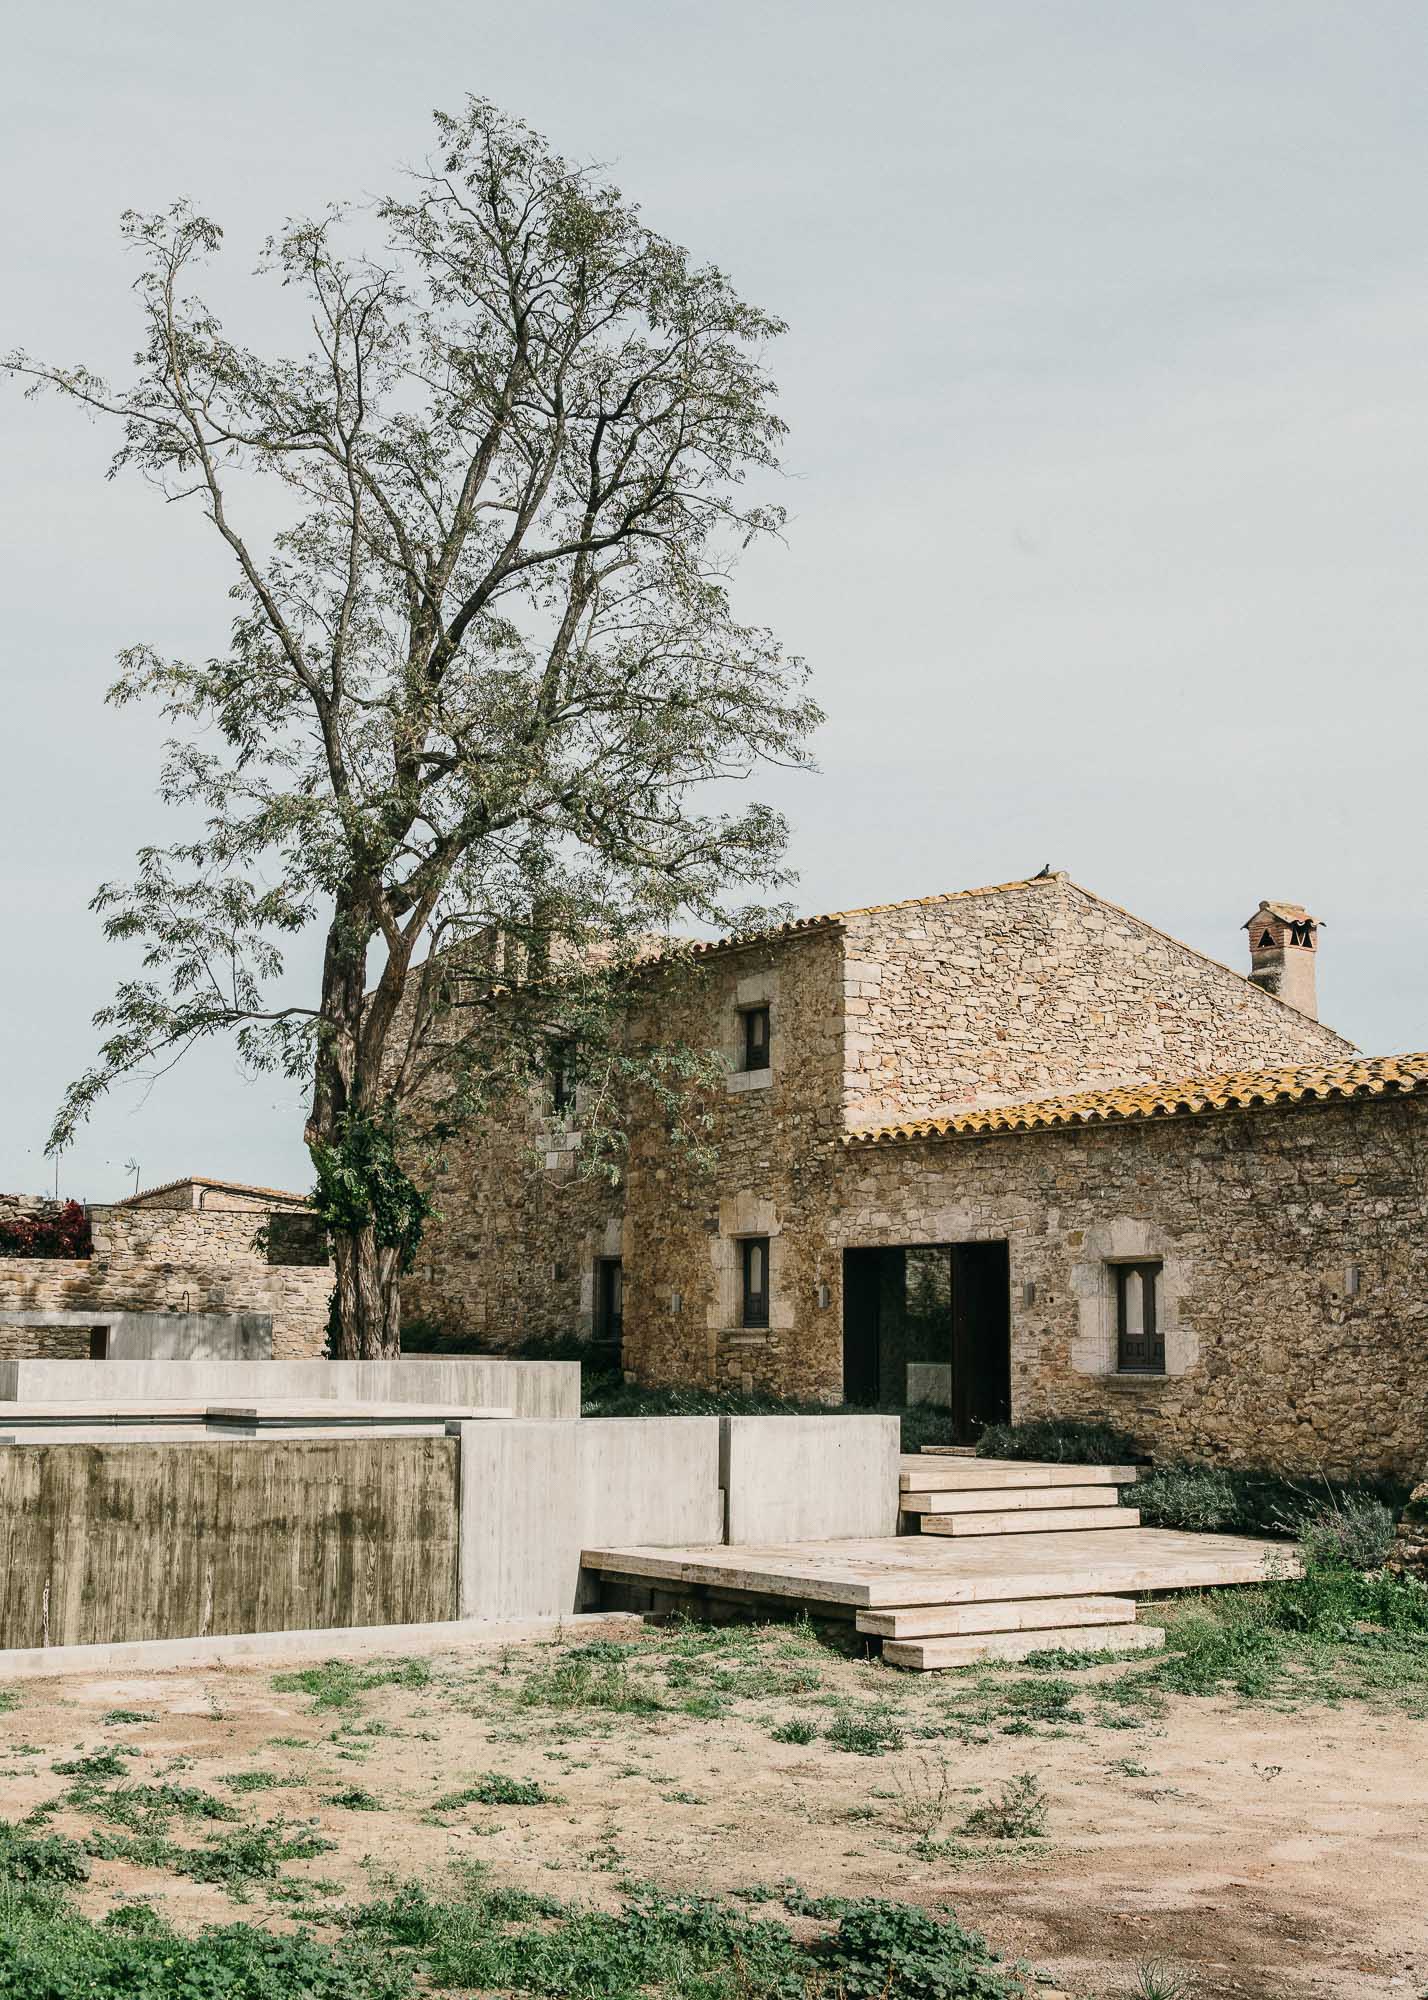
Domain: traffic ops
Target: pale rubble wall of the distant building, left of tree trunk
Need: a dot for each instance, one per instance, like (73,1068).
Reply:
(169,1261)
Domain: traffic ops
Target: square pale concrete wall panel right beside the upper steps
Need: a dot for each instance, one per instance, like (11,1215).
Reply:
(809,1477)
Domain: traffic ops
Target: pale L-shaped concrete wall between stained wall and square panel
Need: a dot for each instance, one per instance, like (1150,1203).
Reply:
(537,1493)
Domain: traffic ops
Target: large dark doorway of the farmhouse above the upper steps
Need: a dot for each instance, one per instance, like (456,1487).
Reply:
(931,1323)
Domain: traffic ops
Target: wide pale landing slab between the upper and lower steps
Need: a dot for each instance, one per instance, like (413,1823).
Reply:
(871,1575)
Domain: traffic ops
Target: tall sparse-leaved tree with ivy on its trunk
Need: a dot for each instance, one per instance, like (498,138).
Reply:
(475,679)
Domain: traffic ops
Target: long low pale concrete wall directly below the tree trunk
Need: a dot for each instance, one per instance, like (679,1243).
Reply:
(471,1381)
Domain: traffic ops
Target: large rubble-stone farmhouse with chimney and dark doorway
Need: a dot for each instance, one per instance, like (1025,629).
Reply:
(1011,1151)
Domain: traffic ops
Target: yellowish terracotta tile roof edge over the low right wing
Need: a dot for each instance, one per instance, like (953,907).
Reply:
(1365,1077)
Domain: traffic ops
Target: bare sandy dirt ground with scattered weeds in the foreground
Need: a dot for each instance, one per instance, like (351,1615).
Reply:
(1271,1853)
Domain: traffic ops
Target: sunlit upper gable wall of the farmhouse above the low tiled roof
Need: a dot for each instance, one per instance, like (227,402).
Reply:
(1039,989)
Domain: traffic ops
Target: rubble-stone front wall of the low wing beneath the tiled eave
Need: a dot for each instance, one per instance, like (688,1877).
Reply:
(1295,1247)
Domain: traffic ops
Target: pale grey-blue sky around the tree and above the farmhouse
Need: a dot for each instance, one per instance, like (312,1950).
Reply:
(1109,429)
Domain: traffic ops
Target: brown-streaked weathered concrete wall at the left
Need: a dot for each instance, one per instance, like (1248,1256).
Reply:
(105,1543)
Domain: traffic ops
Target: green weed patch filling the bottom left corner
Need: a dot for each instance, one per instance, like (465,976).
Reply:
(49,1953)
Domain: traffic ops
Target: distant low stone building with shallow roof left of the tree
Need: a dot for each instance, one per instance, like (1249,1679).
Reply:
(197,1269)
